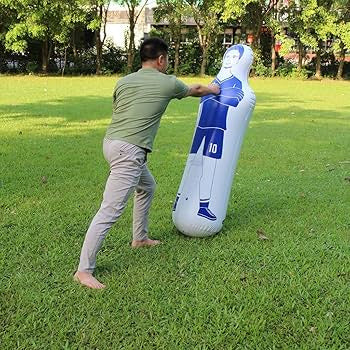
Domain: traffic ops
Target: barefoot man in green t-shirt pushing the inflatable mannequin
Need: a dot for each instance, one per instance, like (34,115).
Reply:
(139,101)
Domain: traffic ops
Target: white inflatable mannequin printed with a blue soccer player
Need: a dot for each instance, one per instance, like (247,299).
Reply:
(202,199)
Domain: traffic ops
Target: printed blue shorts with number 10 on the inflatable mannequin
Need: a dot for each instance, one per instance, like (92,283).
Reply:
(214,139)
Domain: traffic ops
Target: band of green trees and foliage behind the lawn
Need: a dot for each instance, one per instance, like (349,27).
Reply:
(35,35)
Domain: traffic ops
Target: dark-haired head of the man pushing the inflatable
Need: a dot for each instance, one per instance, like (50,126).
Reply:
(154,53)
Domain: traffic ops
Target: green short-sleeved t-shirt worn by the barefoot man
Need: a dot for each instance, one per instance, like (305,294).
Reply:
(139,101)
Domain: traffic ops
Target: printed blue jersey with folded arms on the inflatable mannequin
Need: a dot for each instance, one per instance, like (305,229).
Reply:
(215,107)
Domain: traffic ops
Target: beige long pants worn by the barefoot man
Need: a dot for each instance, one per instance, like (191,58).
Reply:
(128,174)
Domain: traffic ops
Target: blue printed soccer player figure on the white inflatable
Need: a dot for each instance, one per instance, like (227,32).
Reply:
(212,125)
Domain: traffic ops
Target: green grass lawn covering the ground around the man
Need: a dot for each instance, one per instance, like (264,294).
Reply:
(231,291)
